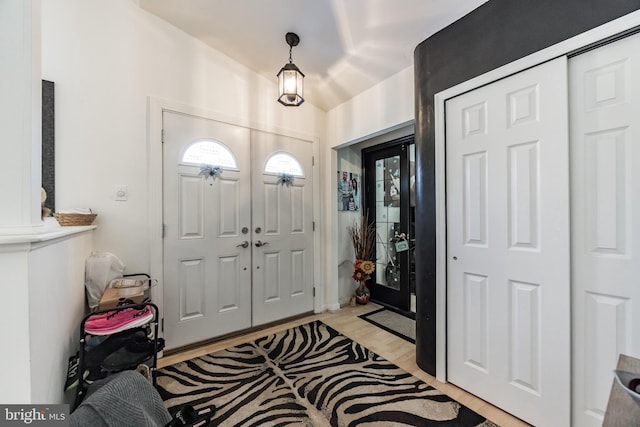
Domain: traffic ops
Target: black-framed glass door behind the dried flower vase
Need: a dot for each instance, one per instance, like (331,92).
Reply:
(390,203)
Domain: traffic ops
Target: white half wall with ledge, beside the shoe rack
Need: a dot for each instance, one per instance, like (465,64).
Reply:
(43,306)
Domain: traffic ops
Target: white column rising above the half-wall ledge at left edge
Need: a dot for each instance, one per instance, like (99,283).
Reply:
(20,116)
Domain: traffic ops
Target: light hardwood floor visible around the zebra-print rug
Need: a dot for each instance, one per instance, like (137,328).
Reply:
(387,345)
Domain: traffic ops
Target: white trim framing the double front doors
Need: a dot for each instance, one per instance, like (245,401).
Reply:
(155,108)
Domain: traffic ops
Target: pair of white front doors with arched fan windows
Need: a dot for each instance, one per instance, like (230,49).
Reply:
(238,228)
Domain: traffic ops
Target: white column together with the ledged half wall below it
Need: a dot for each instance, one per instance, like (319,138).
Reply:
(43,282)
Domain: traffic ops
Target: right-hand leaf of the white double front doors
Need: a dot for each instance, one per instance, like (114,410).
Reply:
(282,227)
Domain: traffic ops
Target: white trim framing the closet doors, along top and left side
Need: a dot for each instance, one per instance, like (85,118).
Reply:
(567,47)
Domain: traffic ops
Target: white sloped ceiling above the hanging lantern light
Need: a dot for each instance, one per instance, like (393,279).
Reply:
(346,46)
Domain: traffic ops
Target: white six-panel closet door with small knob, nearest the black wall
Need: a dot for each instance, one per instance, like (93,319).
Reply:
(508,293)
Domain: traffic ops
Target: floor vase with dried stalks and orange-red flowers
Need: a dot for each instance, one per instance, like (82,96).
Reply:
(363,238)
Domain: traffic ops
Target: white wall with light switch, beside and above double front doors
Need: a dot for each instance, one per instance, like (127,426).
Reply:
(106,58)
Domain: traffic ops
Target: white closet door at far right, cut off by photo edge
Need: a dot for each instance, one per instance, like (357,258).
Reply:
(605,180)
